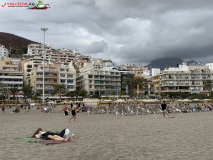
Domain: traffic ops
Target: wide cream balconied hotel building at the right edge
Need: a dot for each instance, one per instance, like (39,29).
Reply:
(188,79)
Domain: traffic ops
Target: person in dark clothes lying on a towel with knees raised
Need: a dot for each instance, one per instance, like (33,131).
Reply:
(50,135)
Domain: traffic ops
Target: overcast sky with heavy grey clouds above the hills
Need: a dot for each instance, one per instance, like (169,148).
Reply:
(125,31)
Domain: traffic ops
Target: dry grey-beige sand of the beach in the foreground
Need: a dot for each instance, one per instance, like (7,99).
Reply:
(106,136)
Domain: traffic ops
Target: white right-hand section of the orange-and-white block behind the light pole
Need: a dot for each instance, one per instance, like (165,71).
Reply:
(67,76)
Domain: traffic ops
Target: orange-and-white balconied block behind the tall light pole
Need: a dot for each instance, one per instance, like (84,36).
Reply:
(54,74)
